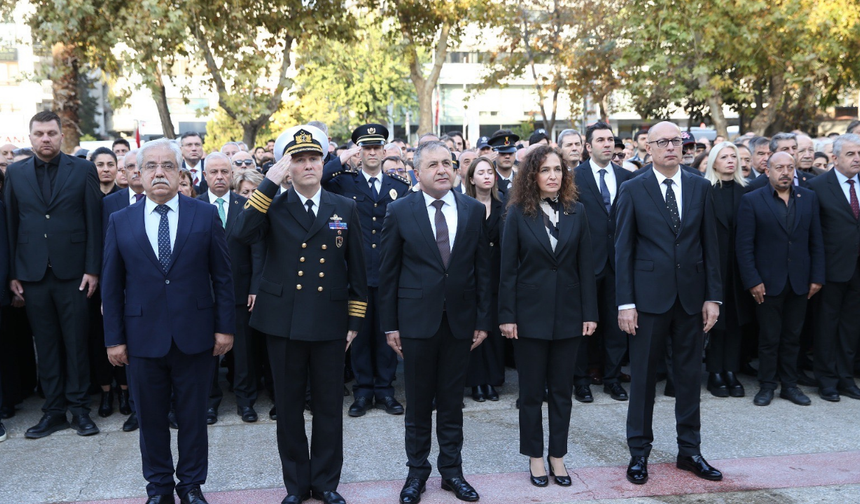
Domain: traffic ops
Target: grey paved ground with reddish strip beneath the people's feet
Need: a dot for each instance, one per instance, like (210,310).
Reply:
(779,454)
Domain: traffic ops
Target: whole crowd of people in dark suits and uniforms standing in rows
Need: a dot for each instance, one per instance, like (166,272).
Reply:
(303,265)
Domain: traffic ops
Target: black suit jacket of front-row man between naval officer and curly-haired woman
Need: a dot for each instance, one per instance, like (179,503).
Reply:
(416,286)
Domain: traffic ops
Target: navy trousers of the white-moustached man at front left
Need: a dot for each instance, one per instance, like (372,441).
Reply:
(151,382)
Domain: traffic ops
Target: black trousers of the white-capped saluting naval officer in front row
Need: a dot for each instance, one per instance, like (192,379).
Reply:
(293,362)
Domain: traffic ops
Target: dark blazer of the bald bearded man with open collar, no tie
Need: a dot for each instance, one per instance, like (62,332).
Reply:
(770,253)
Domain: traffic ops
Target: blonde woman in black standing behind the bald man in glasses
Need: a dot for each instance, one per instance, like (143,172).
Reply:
(723,354)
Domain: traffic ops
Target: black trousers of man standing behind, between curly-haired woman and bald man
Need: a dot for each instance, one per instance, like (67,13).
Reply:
(608,343)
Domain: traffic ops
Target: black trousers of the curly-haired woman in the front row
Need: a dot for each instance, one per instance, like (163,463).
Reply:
(545,362)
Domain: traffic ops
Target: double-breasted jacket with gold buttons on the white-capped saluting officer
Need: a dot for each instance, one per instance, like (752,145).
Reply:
(314,285)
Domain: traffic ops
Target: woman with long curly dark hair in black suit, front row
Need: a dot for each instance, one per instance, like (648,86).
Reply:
(547,300)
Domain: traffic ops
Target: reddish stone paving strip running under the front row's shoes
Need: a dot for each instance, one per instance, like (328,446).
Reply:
(589,483)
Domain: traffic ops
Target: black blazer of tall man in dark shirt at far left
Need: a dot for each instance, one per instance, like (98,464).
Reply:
(65,232)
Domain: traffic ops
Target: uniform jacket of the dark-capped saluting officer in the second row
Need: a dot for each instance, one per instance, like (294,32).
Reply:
(353,185)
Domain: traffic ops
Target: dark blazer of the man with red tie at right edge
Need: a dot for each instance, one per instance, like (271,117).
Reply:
(841,231)
